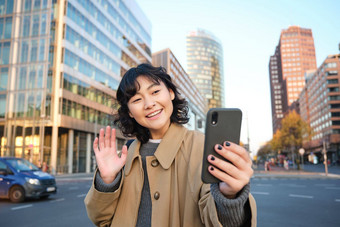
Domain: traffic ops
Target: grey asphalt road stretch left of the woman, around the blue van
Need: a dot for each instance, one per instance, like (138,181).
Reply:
(66,208)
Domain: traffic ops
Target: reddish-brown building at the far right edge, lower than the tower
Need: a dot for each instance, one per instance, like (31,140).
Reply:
(320,107)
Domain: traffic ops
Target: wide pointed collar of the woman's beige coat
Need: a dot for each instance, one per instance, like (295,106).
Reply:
(166,151)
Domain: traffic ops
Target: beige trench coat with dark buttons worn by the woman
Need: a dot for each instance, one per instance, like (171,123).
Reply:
(179,198)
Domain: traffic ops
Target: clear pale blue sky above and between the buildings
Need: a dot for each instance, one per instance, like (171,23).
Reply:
(249,32)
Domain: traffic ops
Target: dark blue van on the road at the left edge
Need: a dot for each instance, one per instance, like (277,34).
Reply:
(20,179)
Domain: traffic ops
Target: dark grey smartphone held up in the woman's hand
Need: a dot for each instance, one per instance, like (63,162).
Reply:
(222,124)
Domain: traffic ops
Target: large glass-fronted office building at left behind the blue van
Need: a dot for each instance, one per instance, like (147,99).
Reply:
(61,62)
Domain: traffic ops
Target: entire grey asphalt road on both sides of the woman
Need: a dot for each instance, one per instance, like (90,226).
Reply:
(280,202)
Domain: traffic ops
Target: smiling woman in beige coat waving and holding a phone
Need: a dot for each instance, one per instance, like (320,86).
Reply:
(158,182)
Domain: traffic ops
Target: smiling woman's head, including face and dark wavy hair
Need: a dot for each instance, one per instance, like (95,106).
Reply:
(144,90)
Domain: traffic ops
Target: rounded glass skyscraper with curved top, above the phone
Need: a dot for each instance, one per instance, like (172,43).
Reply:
(205,66)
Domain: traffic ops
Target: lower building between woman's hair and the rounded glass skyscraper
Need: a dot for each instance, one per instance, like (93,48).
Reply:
(196,102)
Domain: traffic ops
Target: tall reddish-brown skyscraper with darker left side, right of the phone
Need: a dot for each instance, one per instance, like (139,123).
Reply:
(294,55)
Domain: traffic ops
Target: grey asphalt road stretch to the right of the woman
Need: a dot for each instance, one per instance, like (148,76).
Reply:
(297,202)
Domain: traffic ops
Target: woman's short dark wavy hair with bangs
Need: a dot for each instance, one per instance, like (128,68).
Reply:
(129,86)
